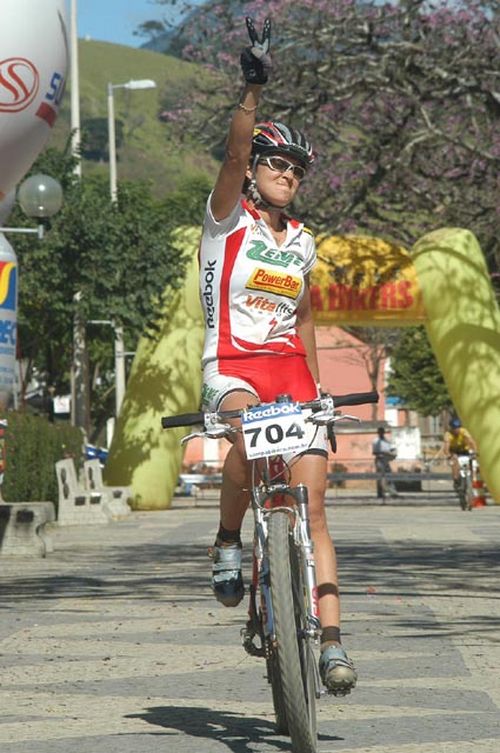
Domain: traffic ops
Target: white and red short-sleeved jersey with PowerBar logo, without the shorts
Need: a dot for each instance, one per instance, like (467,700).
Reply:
(250,289)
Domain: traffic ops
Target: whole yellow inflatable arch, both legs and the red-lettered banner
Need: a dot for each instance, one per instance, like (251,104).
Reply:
(443,282)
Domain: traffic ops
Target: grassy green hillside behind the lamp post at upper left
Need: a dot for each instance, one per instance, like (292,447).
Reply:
(151,149)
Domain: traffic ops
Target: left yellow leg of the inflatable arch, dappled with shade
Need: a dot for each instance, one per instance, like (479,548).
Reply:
(165,379)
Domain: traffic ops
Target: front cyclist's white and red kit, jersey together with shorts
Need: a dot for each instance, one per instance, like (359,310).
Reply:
(250,292)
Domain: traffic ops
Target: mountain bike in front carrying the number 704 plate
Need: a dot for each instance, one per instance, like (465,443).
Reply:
(283,615)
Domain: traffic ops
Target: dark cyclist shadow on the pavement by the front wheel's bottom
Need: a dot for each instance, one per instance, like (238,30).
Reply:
(240,734)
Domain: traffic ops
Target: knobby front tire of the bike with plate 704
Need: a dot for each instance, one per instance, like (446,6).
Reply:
(299,708)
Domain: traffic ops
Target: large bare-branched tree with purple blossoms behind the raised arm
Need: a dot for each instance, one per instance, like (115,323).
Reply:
(401,100)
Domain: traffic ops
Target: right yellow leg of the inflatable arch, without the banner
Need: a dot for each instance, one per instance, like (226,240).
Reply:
(463,322)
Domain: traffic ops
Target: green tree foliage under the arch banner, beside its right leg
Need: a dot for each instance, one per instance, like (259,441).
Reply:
(415,376)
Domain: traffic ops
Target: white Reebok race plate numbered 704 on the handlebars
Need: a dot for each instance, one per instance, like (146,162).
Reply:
(274,429)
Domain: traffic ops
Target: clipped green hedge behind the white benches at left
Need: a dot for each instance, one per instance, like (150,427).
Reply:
(33,445)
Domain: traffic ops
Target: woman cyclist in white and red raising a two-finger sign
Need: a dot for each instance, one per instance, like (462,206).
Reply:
(255,263)
